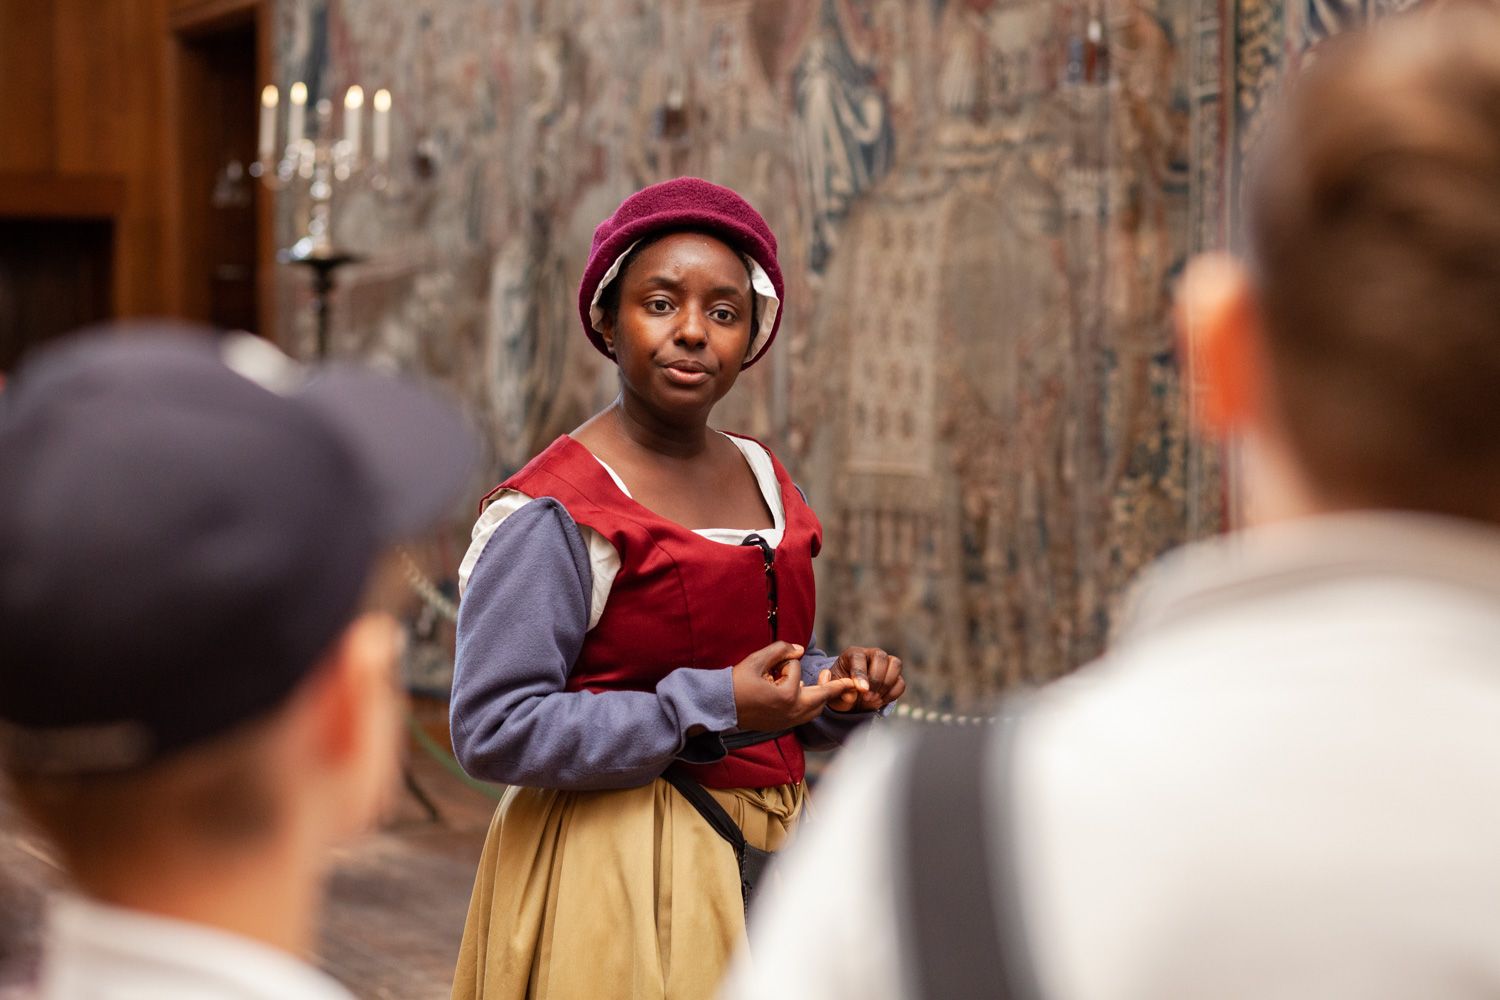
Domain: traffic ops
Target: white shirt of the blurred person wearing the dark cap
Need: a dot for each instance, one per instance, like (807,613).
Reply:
(104,953)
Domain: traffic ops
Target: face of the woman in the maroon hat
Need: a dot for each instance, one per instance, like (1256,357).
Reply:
(683,328)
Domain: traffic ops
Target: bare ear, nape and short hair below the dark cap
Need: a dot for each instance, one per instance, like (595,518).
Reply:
(311,773)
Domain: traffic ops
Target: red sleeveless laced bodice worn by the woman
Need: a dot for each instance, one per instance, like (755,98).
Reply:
(682,600)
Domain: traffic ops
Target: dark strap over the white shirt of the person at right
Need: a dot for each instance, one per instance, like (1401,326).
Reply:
(962,905)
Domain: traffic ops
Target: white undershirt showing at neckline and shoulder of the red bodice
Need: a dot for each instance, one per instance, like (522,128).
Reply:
(602,557)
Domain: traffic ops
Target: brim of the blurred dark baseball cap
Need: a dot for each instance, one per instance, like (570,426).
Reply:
(416,449)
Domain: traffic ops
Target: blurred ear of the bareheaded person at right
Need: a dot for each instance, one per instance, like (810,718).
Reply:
(1220,344)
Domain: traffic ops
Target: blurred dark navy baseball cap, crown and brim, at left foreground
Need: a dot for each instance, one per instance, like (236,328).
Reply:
(187,524)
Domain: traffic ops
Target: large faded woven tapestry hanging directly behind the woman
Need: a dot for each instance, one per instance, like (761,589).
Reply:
(982,208)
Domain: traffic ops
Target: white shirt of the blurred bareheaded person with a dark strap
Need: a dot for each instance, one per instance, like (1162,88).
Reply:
(1283,783)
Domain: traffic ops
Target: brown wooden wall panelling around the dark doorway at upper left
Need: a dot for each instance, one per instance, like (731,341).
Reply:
(88,100)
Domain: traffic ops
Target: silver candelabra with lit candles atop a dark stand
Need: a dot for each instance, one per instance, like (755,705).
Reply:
(310,169)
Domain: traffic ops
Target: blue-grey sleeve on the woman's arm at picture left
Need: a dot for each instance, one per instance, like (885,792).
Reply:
(521,629)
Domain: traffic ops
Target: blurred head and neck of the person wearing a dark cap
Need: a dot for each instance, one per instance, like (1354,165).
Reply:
(199,693)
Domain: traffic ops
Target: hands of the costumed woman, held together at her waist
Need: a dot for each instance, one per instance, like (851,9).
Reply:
(770,695)
